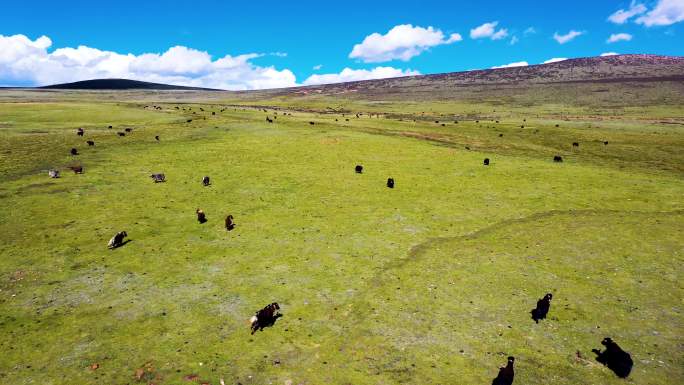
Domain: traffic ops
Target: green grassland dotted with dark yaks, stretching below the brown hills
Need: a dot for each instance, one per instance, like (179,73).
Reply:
(431,282)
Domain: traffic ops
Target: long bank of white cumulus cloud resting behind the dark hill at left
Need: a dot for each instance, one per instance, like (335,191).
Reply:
(26,62)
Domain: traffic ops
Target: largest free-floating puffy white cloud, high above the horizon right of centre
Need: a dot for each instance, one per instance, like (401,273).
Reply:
(400,43)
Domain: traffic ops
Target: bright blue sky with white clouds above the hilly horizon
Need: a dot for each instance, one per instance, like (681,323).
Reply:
(277,43)
